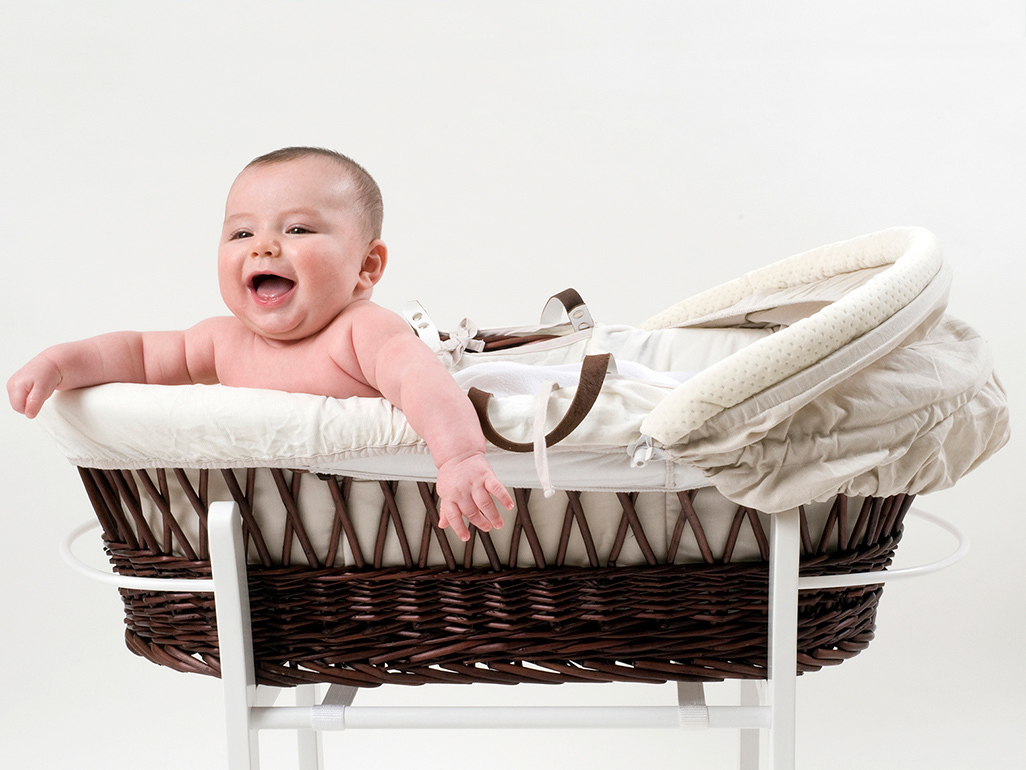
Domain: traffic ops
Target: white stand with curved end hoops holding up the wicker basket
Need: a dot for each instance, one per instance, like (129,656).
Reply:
(767,710)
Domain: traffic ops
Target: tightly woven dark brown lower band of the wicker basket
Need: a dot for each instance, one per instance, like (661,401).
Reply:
(632,625)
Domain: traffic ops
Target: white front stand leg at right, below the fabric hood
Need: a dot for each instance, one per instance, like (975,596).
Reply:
(784,558)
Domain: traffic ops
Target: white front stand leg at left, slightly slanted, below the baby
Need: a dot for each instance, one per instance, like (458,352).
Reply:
(234,635)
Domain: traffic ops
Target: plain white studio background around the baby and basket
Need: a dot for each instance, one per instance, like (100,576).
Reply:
(640,152)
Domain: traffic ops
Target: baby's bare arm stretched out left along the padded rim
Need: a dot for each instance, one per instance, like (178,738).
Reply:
(159,358)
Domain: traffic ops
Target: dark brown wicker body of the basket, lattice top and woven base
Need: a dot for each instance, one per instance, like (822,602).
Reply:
(366,625)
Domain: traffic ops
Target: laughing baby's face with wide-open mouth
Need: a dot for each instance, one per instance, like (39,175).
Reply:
(293,252)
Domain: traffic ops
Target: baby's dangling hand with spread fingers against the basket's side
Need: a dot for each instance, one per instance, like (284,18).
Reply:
(466,486)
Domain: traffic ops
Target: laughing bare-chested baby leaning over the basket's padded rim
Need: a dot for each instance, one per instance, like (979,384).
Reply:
(300,254)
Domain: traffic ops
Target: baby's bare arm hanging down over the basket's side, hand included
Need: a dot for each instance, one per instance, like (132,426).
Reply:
(403,369)
